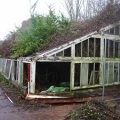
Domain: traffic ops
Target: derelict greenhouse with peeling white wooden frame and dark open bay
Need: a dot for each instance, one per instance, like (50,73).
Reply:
(90,61)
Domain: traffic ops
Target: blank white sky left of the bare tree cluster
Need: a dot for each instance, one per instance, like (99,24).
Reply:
(13,12)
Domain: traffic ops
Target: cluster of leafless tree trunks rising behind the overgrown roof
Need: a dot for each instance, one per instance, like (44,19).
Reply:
(84,9)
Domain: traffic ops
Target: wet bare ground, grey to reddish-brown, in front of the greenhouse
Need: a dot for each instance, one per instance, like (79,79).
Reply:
(11,111)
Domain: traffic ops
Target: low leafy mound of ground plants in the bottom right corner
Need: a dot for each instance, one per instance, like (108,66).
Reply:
(92,111)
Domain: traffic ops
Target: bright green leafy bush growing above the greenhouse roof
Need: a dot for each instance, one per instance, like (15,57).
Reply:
(39,34)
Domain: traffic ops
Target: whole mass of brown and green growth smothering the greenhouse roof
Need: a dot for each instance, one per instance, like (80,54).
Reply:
(50,31)
